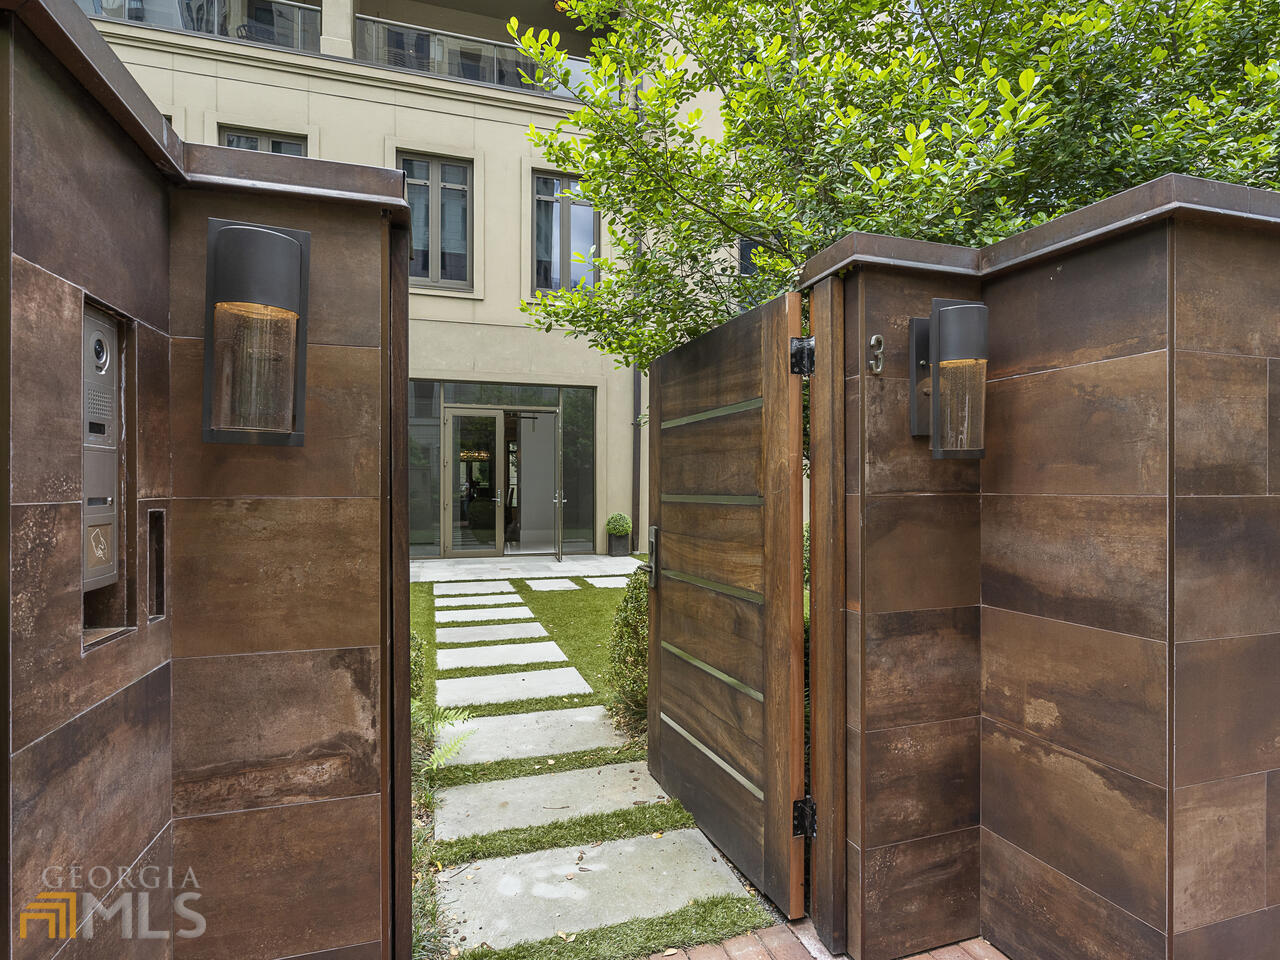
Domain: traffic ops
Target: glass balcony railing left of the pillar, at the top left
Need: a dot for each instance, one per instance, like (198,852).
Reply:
(273,22)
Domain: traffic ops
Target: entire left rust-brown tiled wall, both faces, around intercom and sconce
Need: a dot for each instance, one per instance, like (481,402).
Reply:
(243,734)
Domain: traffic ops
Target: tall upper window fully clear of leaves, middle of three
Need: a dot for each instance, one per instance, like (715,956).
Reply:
(441,208)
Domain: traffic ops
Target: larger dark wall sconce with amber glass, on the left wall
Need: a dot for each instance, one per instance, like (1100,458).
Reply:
(255,333)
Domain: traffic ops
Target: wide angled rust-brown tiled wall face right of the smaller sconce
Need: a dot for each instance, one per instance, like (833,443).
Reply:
(1076,604)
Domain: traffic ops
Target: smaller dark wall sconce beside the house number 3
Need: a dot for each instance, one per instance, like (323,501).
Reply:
(949,378)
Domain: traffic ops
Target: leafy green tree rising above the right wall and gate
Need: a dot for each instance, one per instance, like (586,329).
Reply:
(706,127)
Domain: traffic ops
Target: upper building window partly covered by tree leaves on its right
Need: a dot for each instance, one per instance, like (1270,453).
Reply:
(564,226)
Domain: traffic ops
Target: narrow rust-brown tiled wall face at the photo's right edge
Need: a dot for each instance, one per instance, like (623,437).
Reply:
(1227,604)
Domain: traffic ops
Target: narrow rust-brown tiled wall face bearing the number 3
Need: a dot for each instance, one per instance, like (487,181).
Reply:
(913,660)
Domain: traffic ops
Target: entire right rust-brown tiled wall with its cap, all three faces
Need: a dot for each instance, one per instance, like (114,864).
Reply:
(1064,662)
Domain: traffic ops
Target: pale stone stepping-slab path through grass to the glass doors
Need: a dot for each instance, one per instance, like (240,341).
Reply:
(557,892)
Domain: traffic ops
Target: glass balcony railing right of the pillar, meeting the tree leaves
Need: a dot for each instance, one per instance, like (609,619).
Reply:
(409,48)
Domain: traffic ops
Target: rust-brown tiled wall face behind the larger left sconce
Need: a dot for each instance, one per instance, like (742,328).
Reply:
(278,625)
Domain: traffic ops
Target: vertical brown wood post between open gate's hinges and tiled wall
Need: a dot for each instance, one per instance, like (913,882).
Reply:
(828,623)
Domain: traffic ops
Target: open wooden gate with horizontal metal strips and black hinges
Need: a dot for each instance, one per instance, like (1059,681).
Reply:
(726,644)
